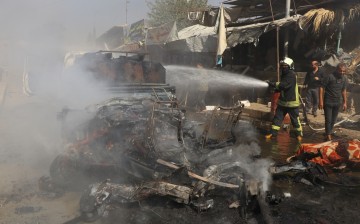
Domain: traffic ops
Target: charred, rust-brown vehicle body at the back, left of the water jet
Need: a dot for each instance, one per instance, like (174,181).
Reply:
(115,69)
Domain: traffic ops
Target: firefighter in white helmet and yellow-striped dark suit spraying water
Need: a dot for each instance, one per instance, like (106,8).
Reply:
(288,102)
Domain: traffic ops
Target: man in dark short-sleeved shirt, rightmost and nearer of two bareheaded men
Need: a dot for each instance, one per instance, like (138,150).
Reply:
(334,86)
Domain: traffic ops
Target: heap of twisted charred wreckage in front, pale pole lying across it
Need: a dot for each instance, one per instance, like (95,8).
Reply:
(229,174)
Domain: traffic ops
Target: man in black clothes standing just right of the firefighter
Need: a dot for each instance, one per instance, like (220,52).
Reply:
(312,84)
